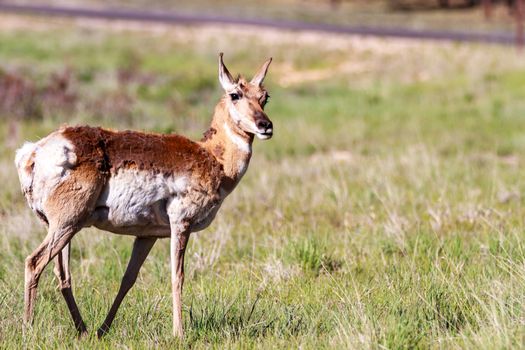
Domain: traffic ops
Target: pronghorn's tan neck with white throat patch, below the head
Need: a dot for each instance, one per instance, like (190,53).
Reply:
(230,145)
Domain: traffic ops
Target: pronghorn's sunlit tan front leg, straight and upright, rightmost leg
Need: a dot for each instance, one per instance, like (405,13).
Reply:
(179,241)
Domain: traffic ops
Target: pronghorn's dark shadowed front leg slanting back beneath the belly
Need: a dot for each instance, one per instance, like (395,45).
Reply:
(141,249)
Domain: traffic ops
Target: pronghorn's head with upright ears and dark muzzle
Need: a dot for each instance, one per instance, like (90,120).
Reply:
(245,101)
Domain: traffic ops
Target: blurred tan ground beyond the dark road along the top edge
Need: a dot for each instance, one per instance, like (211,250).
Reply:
(418,14)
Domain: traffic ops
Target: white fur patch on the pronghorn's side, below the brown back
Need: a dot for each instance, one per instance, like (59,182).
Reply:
(132,196)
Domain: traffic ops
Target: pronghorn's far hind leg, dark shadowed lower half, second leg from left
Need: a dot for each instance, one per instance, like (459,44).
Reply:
(64,282)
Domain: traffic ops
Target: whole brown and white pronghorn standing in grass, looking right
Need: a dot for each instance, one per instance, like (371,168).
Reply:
(137,183)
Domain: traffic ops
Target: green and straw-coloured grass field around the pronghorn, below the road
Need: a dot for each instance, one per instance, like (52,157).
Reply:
(386,212)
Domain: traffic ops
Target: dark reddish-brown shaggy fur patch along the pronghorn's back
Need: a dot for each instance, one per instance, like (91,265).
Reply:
(108,151)
